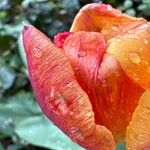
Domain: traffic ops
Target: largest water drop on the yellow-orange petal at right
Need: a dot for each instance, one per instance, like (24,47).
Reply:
(135,57)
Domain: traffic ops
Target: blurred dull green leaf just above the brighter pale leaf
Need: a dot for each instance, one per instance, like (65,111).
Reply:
(19,106)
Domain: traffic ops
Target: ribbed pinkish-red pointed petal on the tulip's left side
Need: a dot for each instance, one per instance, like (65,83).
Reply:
(59,95)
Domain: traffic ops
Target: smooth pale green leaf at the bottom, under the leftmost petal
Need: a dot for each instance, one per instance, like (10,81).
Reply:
(39,131)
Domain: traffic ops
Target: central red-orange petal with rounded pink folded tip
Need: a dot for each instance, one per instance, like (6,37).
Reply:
(112,94)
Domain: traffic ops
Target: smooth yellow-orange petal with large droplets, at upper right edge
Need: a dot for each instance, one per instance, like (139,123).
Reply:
(133,52)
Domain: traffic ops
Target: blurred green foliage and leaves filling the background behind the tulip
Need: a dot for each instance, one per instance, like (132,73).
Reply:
(22,125)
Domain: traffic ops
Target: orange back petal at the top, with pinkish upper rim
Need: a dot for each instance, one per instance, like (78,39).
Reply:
(105,19)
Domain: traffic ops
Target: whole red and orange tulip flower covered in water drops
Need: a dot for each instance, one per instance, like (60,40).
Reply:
(93,82)
